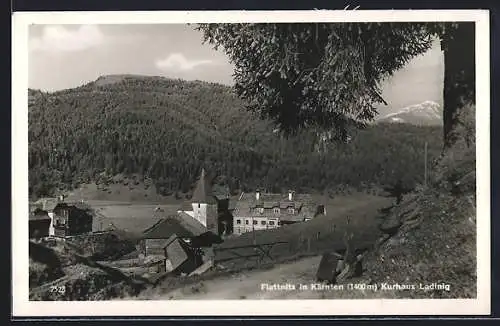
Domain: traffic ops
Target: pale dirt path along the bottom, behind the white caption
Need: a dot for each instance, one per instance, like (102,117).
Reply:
(249,285)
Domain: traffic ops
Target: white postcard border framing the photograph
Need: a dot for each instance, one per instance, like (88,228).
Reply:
(23,307)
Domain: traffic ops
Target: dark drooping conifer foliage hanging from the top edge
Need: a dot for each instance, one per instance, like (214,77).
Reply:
(323,76)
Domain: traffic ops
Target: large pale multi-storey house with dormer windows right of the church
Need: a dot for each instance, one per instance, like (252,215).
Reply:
(261,211)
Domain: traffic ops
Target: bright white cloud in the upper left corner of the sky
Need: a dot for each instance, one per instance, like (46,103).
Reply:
(57,38)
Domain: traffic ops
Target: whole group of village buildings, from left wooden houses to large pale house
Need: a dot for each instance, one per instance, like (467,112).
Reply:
(182,241)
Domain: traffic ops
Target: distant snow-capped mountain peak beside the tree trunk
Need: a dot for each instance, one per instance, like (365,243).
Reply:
(425,113)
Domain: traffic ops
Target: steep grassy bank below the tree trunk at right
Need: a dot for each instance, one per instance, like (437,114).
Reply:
(435,241)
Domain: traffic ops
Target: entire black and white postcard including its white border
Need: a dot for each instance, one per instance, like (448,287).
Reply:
(265,163)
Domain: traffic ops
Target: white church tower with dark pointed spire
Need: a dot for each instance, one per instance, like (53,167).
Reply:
(205,204)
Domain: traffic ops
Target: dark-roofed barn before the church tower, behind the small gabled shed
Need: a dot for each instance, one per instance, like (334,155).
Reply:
(184,226)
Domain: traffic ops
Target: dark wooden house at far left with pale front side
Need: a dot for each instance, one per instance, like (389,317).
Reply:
(71,219)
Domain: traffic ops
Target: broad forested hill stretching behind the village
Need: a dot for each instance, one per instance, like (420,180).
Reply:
(167,130)
